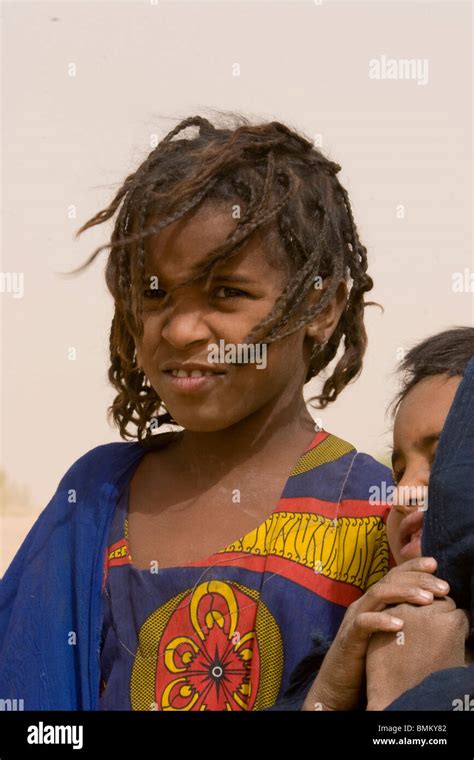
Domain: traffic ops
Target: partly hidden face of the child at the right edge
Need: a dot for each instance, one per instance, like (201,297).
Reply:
(418,425)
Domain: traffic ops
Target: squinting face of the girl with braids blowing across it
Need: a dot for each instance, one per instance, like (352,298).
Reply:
(179,328)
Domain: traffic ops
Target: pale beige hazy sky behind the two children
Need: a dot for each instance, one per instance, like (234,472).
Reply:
(140,68)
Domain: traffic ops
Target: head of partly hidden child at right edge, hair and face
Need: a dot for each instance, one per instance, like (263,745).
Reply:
(432,371)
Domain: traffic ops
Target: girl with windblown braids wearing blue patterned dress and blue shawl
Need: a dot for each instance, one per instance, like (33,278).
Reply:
(187,569)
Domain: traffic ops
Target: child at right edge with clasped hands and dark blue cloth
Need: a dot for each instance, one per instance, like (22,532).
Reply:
(433,372)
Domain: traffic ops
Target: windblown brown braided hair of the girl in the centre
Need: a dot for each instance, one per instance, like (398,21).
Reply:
(289,190)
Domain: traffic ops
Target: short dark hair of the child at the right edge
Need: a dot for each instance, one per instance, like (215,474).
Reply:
(446,353)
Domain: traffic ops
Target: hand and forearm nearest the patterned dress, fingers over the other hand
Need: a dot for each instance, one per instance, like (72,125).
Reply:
(338,683)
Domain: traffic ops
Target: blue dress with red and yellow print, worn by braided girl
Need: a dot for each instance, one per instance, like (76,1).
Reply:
(225,633)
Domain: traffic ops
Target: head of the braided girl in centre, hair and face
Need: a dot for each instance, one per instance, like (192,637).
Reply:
(198,216)
